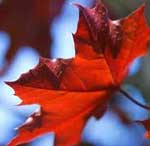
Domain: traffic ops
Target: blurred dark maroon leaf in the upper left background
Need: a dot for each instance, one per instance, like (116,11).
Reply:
(28,23)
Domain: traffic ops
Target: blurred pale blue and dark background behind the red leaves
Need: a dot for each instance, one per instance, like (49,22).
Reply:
(112,129)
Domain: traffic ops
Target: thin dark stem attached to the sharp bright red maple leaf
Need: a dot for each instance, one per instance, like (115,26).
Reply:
(128,96)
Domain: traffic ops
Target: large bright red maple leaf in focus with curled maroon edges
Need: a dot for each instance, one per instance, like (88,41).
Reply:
(70,91)
